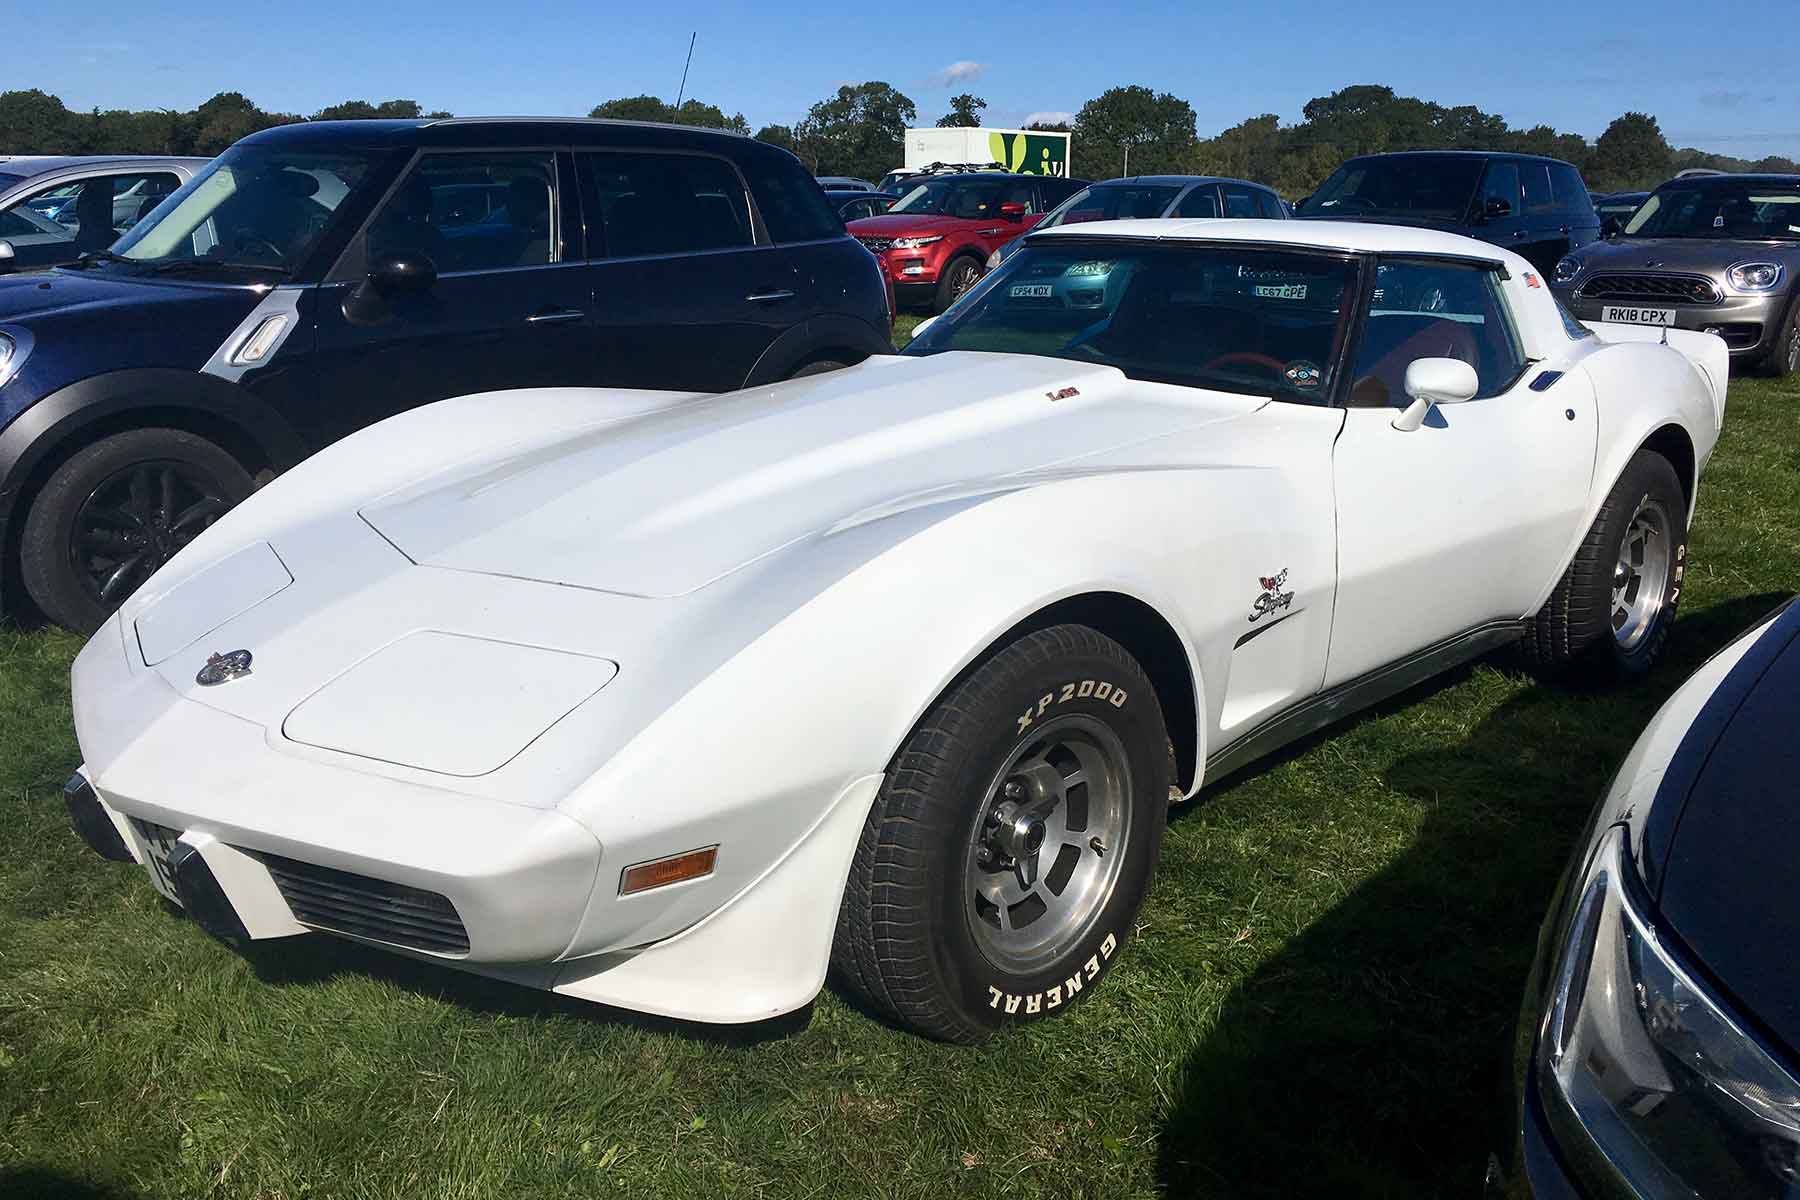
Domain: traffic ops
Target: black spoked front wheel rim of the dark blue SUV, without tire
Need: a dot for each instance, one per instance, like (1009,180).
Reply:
(136,523)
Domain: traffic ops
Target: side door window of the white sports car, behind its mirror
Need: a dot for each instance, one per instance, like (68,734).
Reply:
(1434,310)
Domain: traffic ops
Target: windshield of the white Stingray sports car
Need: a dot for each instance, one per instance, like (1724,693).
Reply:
(1237,319)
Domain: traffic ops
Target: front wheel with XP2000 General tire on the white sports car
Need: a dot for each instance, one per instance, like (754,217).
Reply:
(1014,841)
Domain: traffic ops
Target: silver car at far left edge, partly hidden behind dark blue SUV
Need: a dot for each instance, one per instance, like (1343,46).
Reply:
(55,210)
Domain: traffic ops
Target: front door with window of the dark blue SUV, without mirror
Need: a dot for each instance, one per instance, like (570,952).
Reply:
(508,307)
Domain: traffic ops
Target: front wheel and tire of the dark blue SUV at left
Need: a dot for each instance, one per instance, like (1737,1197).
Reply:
(114,514)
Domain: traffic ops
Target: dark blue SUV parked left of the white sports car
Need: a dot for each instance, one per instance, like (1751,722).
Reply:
(319,278)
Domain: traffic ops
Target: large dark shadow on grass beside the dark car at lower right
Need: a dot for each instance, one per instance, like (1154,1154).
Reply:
(1372,1053)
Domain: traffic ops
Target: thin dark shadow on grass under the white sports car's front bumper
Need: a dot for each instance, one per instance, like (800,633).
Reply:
(316,958)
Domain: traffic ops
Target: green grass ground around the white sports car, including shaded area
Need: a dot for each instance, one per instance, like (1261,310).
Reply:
(1320,999)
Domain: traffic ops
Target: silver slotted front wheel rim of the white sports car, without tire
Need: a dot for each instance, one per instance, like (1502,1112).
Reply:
(1048,843)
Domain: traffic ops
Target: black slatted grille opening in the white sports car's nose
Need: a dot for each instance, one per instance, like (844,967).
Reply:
(354,904)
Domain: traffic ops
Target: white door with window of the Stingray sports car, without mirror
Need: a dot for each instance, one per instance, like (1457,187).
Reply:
(1466,519)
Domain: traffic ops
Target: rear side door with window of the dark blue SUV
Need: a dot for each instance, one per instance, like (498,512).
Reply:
(687,296)
